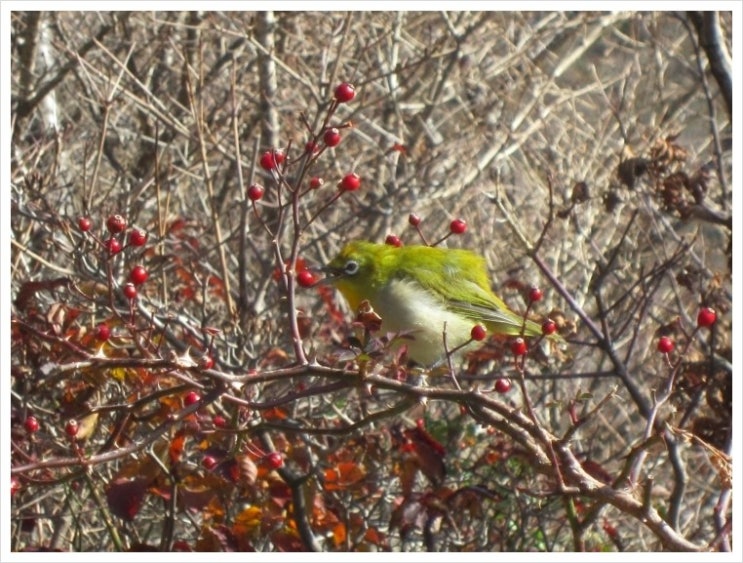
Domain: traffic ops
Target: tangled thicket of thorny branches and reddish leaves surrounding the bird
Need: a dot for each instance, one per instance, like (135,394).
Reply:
(212,402)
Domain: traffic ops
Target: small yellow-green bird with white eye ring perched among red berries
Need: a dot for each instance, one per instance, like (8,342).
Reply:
(422,290)
